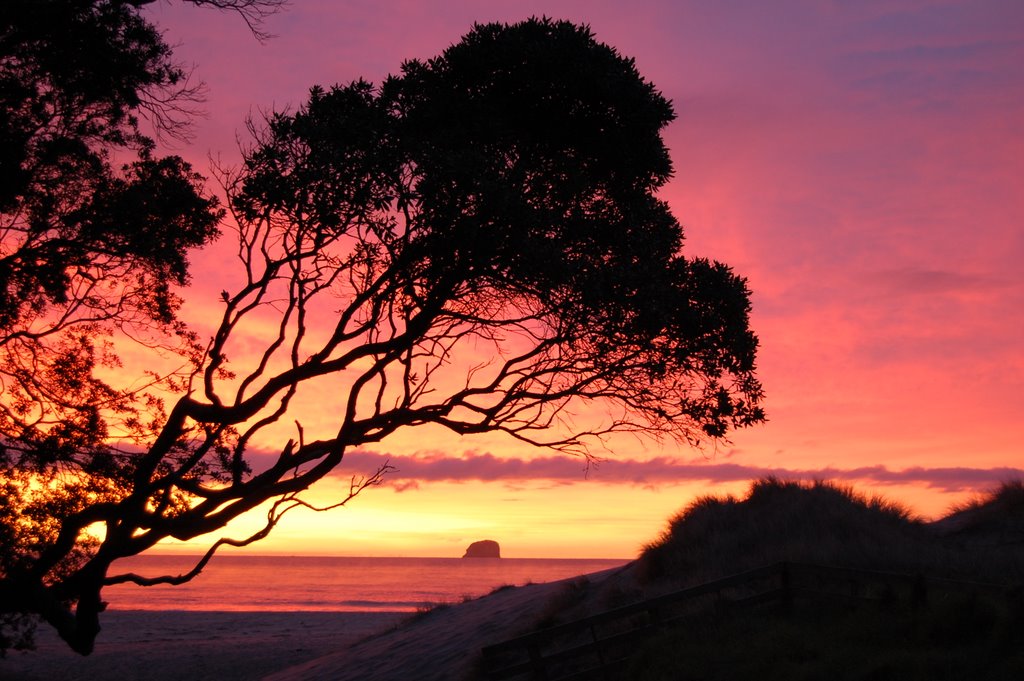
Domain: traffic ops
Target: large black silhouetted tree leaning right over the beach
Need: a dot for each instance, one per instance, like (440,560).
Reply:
(497,202)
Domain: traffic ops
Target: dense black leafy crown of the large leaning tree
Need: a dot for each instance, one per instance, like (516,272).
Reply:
(527,158)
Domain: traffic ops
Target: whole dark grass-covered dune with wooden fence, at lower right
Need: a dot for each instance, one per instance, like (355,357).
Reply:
(797,581)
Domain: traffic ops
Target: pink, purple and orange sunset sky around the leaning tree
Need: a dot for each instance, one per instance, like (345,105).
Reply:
(861,163)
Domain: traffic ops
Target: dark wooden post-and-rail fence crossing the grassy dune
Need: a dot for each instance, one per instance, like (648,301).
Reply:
(595,647)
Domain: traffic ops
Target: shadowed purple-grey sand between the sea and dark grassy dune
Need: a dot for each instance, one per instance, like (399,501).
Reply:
(444,644)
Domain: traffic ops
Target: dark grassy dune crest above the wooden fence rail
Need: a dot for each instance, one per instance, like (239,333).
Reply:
(829,524)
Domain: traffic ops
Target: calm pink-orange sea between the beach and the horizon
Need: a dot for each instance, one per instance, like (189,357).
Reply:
(285,583)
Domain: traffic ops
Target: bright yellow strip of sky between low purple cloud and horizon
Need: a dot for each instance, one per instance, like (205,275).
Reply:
(529,520)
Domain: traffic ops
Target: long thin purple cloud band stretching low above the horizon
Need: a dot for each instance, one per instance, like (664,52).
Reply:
(477,467)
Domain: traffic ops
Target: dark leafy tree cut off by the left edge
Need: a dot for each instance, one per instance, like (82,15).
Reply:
(95,233)
